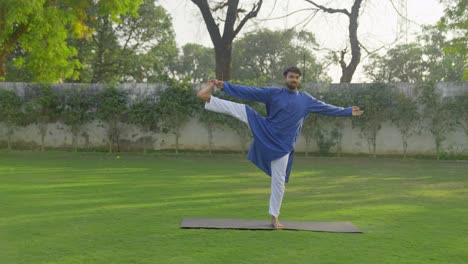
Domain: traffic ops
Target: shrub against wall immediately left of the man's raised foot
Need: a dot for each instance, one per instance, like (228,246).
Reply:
(177,104)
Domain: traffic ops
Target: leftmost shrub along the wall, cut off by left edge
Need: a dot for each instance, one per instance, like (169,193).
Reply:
(11,112)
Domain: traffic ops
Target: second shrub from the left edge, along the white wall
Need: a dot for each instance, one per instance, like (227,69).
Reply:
(42,108)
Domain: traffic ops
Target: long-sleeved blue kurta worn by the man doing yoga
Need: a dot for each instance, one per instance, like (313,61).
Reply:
(275,135)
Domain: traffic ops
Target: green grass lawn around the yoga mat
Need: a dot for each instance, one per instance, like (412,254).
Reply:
(59,207)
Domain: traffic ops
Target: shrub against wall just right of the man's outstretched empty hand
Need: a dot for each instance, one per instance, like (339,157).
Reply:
(377,101)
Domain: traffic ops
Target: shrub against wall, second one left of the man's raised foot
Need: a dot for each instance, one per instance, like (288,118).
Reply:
(144,113)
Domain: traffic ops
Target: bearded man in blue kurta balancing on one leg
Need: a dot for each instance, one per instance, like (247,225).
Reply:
(275,135)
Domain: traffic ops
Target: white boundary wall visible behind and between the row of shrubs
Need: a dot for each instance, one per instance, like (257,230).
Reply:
(195,137)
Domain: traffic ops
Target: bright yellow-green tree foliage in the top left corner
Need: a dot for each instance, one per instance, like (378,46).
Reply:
(42,28)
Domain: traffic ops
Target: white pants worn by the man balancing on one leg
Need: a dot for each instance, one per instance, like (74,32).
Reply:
(278,166)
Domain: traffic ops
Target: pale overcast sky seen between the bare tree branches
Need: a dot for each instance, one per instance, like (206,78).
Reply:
(379,22)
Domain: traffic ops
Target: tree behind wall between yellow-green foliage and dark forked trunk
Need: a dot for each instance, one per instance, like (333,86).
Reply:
(133,49)
